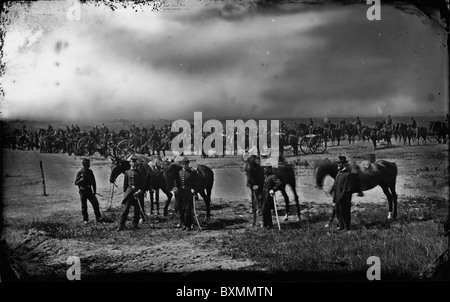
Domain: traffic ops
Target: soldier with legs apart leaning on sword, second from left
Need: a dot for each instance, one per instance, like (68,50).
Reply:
(133,187)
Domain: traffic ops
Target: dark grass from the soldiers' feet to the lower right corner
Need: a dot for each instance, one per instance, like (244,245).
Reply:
(406,247)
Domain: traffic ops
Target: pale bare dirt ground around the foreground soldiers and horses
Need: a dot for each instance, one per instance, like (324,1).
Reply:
(158,246)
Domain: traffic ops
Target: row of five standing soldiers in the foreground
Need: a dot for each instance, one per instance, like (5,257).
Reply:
(184,184)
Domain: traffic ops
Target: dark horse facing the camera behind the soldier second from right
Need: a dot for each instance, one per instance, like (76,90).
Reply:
(255,177)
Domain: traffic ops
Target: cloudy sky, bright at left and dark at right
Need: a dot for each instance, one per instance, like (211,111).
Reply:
(222,59)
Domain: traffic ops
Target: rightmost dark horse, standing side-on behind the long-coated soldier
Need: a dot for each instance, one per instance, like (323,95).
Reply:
(381,173)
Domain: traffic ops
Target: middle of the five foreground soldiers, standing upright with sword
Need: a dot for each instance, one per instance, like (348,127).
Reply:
(184,188)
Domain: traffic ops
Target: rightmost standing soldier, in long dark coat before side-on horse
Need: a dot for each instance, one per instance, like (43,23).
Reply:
(342,189)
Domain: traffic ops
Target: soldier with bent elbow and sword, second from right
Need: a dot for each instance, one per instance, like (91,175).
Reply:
(271,185)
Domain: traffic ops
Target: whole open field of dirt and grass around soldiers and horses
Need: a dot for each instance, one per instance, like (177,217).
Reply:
(42,232)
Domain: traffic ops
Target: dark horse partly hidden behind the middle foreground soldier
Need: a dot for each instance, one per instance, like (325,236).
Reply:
(204,187)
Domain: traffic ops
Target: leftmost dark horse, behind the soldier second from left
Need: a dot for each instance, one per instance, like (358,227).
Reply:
(154,179)
